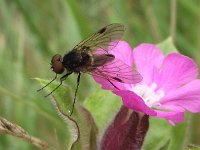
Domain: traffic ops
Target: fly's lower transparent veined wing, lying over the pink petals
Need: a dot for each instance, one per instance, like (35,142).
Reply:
(117,70)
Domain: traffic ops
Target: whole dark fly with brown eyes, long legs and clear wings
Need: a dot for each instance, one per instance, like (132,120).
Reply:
(92,56)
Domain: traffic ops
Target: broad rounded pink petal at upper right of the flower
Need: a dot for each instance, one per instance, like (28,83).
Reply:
(176,71)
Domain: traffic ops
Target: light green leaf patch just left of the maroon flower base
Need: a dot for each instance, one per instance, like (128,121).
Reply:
(103,105)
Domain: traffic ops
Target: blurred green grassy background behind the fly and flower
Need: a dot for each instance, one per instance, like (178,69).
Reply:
(32,31)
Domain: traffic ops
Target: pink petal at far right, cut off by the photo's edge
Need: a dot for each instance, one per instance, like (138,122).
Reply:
(185,97)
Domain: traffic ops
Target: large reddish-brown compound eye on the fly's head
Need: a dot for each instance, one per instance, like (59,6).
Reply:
(56,64)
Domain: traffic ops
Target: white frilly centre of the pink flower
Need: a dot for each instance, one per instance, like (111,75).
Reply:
(149,93)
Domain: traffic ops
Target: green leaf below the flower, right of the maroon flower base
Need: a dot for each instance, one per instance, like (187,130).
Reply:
(162,135)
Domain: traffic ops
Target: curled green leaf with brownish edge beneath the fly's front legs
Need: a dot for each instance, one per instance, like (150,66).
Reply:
(81,127)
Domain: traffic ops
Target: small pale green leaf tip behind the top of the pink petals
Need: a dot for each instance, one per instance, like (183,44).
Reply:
(167,46)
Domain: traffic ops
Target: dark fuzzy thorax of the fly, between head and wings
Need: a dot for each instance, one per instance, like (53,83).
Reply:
(75,60)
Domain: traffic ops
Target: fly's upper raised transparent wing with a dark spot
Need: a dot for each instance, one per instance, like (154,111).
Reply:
(106,38)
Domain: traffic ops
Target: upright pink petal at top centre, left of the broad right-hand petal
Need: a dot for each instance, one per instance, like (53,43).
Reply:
(146,58)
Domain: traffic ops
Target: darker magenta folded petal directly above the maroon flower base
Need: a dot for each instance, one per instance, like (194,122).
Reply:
(134,102)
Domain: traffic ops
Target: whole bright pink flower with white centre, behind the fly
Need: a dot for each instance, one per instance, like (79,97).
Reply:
(169,86)
